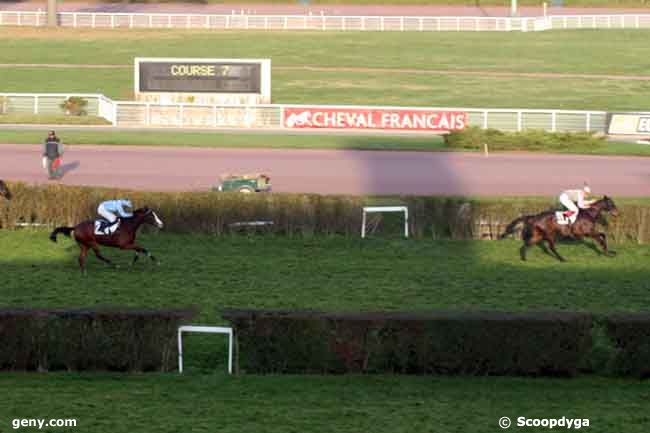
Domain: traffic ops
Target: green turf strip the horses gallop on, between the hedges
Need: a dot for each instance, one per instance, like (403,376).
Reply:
(329,274)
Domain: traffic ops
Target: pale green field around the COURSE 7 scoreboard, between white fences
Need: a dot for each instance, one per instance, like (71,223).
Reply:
(401,63)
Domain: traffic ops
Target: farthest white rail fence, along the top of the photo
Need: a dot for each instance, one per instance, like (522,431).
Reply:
(324,22)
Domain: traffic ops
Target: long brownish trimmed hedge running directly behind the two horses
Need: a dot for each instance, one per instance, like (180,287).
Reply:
(295,214)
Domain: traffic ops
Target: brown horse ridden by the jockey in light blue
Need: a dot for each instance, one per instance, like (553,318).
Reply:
(123,238)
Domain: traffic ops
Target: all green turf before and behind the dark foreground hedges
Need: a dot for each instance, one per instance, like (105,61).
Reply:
(328,274)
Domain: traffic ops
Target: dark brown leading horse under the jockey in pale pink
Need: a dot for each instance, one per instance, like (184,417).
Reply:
(544,227)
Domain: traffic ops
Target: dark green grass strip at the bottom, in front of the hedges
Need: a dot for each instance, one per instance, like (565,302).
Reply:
(391,404)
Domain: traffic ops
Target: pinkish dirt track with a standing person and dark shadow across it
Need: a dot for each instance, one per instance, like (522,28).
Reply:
(335,172)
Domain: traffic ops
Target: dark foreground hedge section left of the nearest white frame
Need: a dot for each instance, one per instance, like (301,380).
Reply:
(95,339)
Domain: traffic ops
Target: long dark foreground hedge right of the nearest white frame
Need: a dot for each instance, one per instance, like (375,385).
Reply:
(537,344)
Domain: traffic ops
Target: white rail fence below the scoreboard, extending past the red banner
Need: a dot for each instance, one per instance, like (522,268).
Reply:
(138,114)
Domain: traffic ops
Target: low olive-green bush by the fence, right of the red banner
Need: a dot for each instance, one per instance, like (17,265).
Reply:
(475,138)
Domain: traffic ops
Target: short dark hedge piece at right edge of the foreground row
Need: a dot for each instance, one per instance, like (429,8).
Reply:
(630,334)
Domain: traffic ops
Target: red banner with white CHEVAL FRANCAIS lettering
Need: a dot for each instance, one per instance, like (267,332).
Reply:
(396,119)
